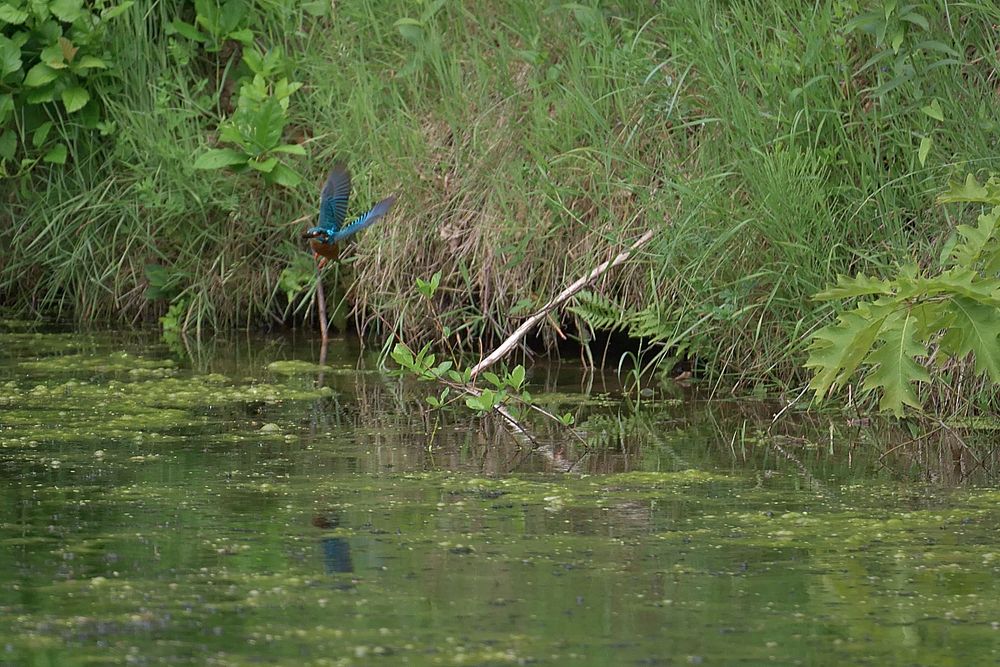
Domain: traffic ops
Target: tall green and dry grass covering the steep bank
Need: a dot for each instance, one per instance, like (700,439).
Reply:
(527,145)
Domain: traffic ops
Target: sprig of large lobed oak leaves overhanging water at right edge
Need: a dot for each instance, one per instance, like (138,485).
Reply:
(915,321)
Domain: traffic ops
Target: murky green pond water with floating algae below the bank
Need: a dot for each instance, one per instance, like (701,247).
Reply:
(234,503)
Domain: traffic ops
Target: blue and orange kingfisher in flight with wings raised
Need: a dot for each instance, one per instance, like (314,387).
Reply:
(325,237)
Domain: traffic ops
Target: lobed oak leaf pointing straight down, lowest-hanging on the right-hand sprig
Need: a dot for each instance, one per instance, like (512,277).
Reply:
(895,369)
